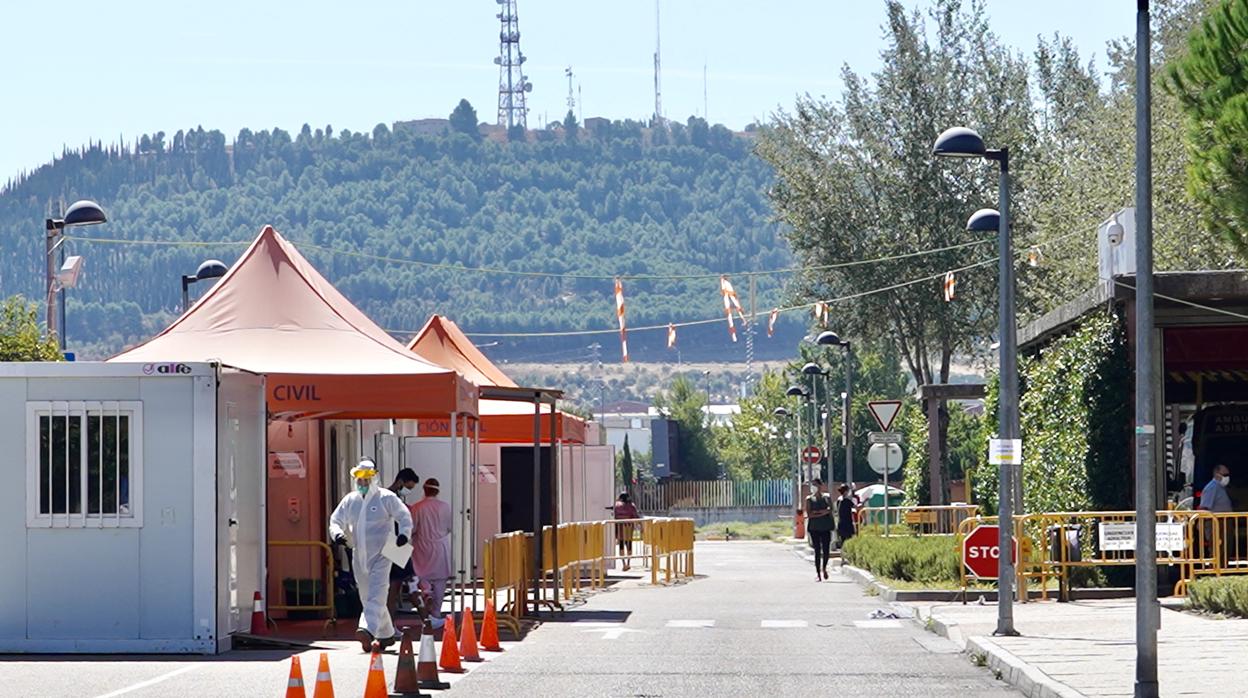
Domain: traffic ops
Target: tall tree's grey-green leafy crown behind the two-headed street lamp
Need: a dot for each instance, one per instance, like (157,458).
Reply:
(858,180)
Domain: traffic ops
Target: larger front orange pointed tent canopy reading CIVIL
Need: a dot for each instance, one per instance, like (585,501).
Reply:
(274,314)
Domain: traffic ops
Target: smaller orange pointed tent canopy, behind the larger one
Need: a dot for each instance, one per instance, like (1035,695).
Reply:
(502,421)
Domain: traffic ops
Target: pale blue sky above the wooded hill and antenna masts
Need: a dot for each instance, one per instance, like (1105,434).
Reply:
(82,71)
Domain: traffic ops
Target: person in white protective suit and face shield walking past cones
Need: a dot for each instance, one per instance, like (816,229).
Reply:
(364,521)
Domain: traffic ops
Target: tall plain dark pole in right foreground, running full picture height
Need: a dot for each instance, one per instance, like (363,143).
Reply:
(1148,612)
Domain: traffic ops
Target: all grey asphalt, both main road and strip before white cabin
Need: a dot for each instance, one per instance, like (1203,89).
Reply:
(754,622)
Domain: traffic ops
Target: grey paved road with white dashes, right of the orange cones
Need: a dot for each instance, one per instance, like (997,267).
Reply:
(757,624)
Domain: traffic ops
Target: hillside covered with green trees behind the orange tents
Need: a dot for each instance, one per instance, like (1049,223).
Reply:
(394,217)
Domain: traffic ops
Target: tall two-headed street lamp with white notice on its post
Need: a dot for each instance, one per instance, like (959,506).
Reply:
(965,143)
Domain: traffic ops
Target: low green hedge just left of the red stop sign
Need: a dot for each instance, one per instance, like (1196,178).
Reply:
(909,559)
